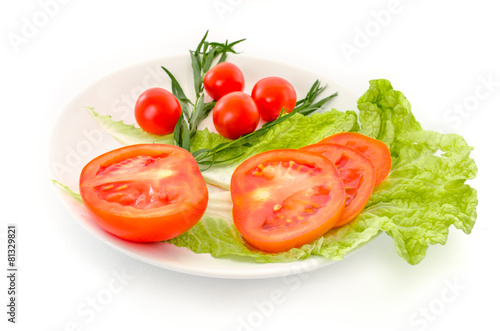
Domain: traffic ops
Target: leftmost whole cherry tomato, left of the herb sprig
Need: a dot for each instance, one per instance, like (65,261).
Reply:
(157,111)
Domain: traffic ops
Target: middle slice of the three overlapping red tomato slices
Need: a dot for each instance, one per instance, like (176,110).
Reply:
(357,173)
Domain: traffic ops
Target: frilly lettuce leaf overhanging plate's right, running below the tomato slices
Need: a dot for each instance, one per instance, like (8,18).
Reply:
(423,196)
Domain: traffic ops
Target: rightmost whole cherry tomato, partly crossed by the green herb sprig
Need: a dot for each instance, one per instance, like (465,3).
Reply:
(272,94)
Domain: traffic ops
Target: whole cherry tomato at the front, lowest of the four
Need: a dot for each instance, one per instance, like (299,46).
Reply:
(235,114)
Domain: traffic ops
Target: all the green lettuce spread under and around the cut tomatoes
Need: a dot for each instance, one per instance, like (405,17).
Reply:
(425,193)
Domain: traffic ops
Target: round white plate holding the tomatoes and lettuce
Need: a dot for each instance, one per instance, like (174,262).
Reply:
(77,139)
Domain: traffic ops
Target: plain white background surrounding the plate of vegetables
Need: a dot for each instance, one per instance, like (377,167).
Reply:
(437,53)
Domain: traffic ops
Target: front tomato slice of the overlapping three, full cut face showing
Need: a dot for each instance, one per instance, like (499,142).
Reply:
(286,198)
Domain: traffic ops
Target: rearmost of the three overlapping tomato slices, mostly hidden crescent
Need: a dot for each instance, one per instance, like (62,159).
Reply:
(375,150)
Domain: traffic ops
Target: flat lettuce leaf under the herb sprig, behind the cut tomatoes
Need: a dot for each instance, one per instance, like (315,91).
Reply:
(295,132)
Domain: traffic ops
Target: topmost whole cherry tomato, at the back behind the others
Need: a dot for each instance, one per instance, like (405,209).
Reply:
(222,79)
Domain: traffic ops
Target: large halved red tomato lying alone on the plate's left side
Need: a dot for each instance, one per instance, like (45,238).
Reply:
(144,193)
